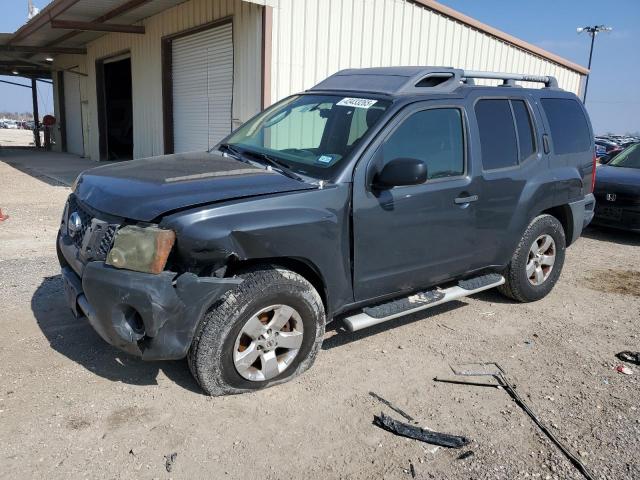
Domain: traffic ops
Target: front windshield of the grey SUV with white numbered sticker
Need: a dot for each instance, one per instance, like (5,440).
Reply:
(310,134)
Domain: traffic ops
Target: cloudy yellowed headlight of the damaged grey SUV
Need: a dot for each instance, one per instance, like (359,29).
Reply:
(142,249)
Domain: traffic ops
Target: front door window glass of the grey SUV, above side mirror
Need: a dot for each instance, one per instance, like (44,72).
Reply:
(434,136)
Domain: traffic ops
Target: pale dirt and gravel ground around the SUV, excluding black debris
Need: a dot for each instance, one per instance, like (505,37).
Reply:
(73,407)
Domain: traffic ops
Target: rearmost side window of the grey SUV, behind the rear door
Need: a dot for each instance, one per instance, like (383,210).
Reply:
(569,128)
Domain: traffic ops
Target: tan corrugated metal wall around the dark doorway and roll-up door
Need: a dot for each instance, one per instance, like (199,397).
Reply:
(146,64)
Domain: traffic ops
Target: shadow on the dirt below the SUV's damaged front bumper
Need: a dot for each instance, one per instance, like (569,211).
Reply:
(76,340)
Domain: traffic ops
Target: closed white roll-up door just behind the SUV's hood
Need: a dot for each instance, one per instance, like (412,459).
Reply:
(202,68)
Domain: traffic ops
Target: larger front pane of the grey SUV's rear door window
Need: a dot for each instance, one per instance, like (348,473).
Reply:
(497,134)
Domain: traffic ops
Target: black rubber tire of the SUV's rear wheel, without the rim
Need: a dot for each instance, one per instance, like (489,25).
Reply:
(545,224)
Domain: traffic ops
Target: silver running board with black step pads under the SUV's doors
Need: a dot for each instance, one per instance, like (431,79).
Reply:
(420,301)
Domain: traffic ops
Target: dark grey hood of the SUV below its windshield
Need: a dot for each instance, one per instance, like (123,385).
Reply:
(145,189)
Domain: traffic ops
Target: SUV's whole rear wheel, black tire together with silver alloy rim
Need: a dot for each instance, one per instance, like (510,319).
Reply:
(519,285)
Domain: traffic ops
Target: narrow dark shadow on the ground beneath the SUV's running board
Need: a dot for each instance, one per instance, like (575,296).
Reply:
(341,336)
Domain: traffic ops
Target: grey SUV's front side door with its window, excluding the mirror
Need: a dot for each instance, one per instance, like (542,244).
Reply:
(411,237)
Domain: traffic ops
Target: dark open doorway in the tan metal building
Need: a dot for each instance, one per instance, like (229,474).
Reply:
(115,108)
